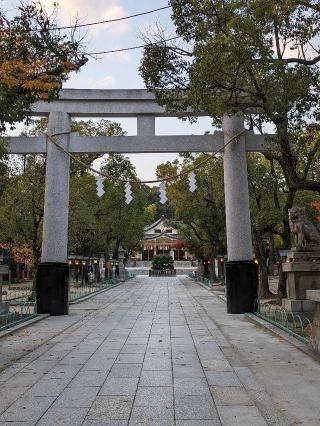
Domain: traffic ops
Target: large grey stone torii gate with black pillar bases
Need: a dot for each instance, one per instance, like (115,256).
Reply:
(53,271)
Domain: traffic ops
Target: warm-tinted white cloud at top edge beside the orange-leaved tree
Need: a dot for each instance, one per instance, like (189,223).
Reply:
(96,10)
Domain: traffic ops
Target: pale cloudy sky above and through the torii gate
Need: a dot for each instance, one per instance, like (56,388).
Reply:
(119,70)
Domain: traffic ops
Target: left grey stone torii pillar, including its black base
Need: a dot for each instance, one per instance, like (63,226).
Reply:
(53,271)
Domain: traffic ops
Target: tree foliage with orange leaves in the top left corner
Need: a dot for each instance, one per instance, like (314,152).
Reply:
(34,61)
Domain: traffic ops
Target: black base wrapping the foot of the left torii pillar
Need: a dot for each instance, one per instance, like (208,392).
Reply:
(53,288)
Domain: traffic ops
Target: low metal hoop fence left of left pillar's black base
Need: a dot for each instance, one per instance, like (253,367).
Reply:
(18,313)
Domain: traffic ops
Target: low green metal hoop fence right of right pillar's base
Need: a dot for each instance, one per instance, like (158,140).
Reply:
(294,324)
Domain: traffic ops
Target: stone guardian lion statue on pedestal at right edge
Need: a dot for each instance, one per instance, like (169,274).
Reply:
(305,233)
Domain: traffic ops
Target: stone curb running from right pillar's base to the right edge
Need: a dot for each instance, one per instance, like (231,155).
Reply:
(303,347)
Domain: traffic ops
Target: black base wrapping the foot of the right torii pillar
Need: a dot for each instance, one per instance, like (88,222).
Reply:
(242,286)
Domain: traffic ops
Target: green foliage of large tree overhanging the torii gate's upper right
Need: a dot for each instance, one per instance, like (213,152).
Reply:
(239,55)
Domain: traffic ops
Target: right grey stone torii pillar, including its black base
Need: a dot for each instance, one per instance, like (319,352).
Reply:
(241,271)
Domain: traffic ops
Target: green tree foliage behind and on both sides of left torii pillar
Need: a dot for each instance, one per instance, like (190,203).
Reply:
(95,225)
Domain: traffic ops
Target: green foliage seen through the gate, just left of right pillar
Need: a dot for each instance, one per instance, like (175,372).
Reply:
(199,217)
